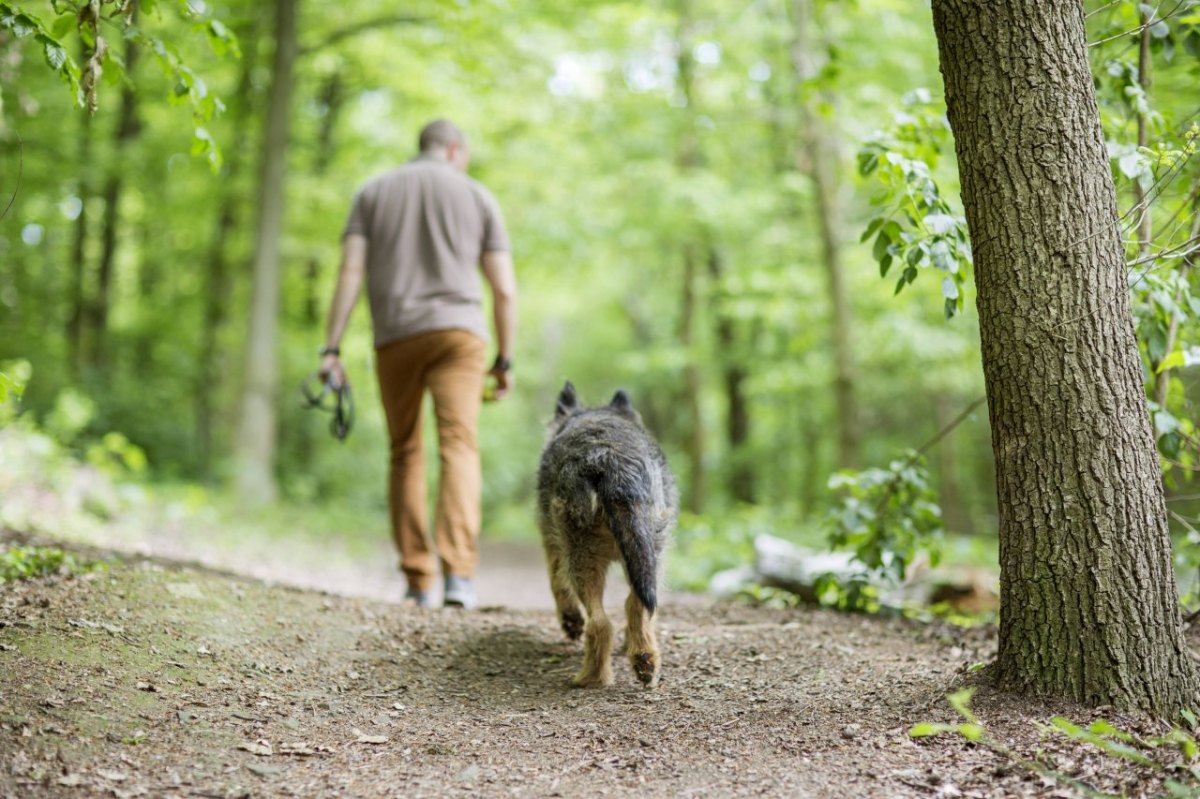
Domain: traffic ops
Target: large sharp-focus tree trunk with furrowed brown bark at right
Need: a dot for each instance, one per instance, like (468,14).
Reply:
(1089,609)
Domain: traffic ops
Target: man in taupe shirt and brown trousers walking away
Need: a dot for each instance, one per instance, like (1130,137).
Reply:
(422,235)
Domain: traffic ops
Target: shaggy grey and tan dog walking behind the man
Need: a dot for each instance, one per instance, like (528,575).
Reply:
(605,492)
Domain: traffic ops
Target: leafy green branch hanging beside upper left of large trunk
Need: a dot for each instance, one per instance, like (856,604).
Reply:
(916,226)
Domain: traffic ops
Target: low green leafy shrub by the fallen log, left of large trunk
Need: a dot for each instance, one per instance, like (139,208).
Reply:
(887,518)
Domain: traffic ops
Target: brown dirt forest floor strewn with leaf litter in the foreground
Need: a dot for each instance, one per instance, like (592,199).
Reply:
(165,680)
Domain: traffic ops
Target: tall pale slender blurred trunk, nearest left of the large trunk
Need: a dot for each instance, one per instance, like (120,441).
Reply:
(818,155)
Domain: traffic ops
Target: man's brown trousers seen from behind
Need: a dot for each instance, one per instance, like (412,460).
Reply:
(451,365)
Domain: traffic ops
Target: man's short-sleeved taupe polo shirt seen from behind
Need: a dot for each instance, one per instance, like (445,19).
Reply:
(427,225)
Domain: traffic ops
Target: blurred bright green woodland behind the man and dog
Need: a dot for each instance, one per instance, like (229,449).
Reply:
(701,195)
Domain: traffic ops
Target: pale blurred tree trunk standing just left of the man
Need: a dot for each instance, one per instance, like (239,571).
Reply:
(255,453)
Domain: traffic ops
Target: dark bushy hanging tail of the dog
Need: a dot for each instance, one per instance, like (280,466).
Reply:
(623,492)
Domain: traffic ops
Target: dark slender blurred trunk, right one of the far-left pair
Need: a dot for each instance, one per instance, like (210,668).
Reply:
(127,131)
